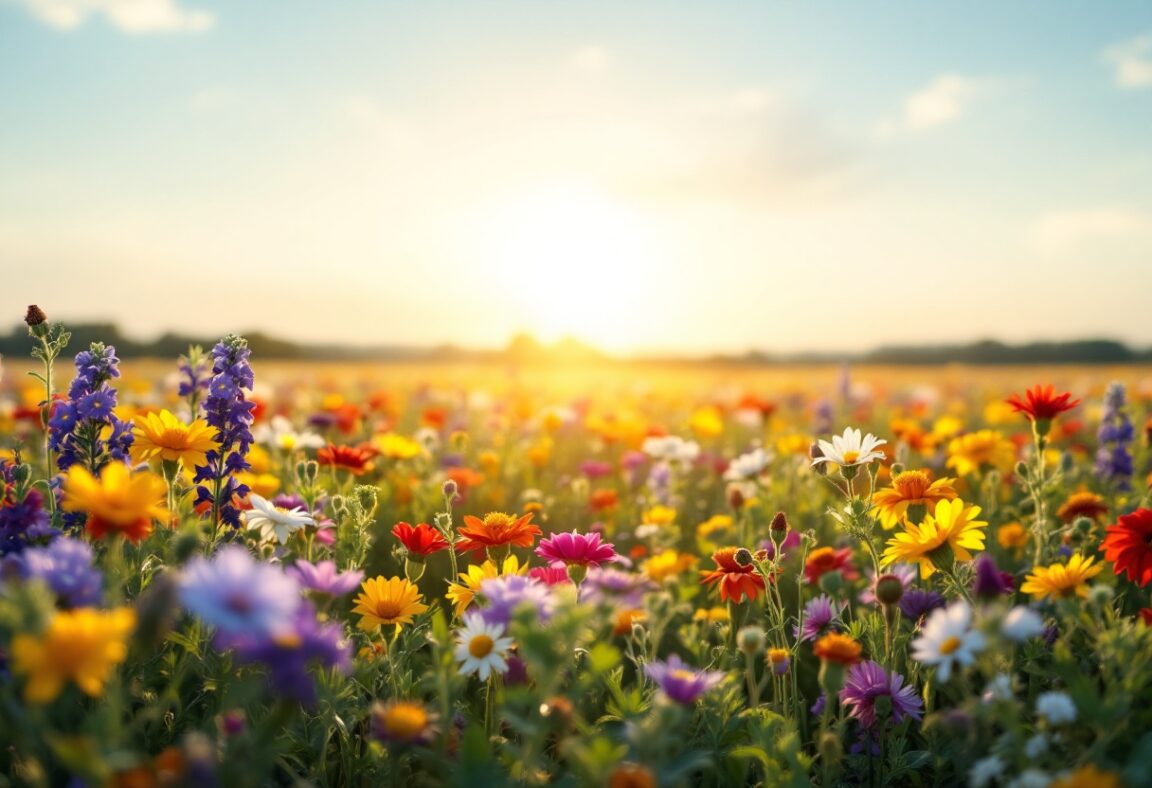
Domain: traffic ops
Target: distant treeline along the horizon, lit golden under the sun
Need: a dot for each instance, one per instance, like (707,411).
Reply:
(526,350)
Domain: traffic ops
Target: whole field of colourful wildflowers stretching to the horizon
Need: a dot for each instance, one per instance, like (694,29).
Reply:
(217,571)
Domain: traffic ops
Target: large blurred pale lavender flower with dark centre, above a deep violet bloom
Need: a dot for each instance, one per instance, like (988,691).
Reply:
(240,596)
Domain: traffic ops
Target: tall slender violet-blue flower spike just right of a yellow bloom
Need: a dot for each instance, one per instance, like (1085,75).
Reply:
(231,414)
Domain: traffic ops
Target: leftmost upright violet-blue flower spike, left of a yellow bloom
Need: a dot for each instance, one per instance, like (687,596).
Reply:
(77,427)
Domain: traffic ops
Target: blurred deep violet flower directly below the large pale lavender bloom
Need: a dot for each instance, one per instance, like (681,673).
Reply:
(290,654)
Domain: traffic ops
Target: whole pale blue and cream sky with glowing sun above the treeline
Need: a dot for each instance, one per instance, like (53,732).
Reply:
(676,177)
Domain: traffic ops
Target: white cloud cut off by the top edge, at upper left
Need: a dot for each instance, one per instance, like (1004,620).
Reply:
(131,17)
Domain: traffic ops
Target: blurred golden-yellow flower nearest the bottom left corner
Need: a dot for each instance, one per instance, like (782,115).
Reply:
(81,646)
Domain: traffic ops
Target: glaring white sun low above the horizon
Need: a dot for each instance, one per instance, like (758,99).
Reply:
(577,262)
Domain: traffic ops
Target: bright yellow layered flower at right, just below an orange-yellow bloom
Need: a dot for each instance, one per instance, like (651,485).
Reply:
(952,526)
